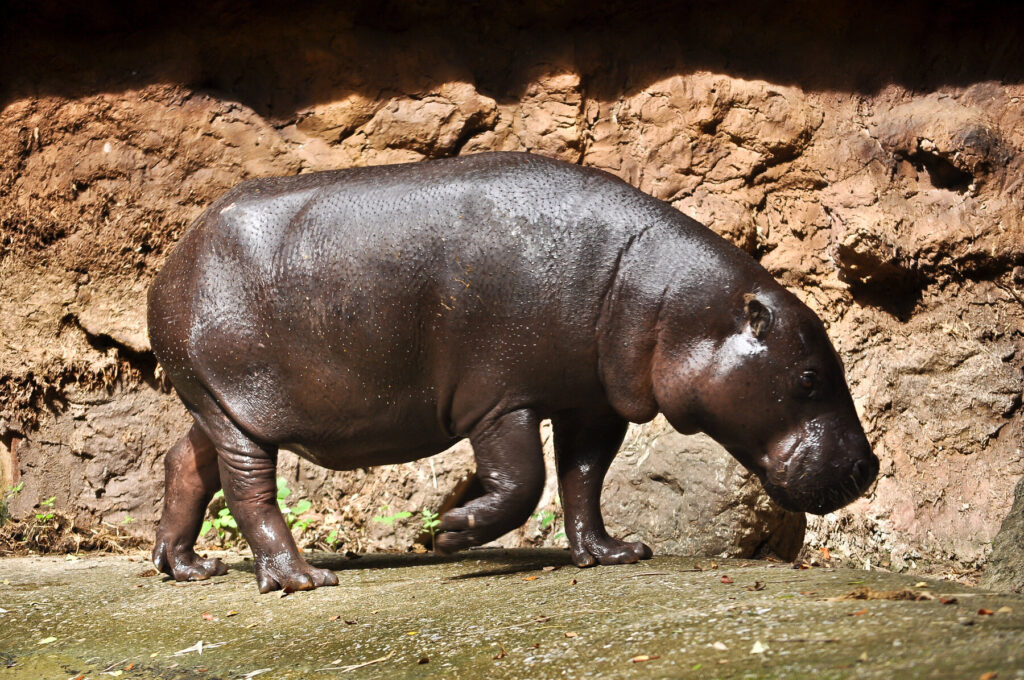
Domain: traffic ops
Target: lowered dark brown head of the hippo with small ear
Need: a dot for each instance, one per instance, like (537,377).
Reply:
(767,385)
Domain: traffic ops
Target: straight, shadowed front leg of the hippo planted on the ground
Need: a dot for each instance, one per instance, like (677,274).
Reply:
(585,446)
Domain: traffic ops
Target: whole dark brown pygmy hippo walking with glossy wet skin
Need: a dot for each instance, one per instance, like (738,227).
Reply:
(377,316)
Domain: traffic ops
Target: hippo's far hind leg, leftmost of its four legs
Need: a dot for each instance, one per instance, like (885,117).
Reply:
(191,481)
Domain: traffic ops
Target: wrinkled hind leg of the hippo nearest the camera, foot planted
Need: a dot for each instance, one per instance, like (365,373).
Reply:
(248,474)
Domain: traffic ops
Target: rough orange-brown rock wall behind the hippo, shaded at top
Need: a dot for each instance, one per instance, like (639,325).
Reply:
(870,156)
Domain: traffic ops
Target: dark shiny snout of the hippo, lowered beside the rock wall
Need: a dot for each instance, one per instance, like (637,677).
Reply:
(820,479)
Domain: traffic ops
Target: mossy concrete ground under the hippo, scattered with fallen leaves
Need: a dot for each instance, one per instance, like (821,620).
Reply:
(495,614)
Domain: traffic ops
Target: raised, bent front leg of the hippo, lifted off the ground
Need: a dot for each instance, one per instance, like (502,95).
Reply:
(510,467)
